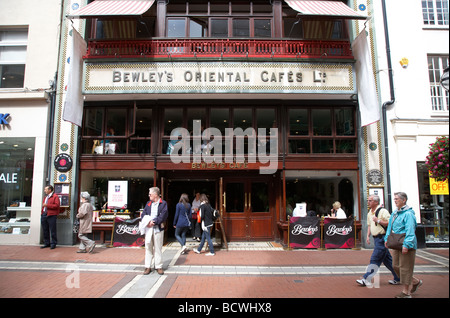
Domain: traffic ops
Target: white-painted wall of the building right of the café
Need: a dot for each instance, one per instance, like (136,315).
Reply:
(411,123)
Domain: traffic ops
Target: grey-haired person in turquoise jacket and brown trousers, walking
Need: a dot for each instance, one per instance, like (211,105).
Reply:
(403,220)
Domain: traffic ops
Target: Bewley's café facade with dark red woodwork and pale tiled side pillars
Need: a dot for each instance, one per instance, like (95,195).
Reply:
(254,103)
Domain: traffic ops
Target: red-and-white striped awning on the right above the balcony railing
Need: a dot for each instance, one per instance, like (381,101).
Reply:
(335,9)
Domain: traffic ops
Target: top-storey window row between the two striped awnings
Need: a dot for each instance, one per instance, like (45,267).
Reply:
(224,19)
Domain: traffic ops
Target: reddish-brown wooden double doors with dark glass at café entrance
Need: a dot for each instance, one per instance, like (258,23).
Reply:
(248,209)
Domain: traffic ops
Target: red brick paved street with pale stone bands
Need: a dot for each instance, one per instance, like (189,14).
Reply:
(31,272)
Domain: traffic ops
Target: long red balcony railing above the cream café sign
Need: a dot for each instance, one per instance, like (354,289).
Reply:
(168,48)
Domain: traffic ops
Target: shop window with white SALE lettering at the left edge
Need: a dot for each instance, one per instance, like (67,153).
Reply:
(16,178)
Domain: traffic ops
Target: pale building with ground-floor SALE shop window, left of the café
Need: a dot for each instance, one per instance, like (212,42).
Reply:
(28,66)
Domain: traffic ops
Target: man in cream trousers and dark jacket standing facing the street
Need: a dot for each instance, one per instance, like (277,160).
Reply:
(156,210)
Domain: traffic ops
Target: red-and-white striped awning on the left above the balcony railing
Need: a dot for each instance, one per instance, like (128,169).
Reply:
(108,8)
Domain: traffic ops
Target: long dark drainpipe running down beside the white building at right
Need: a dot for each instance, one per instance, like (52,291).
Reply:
(386,104)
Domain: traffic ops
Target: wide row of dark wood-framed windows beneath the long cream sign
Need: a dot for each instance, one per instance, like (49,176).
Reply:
(128,128)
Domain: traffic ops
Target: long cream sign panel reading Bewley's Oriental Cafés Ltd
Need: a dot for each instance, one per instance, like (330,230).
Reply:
(218,77)
